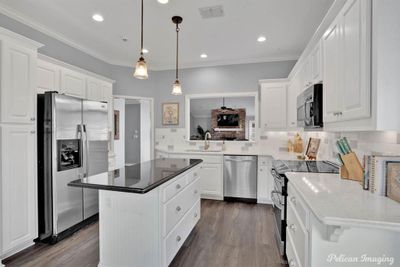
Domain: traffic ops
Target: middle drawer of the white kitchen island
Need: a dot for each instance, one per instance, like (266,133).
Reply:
(178,206)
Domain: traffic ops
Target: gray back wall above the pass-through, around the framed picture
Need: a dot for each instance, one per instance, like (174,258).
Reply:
(231,78)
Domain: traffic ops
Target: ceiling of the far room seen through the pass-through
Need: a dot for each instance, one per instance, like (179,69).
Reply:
(201,108)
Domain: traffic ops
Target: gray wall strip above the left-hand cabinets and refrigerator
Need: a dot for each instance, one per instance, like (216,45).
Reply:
(57,49)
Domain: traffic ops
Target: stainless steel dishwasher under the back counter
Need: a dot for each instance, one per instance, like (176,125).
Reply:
(240,178)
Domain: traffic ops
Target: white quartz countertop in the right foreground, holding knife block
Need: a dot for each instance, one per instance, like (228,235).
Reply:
(335,201)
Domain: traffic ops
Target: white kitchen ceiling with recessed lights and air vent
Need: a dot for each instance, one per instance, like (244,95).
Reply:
(232,39)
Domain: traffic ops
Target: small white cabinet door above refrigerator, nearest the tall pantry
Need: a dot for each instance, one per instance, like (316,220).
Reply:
(48,77)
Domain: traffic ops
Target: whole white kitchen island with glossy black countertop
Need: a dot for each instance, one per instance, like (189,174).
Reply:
(146,211)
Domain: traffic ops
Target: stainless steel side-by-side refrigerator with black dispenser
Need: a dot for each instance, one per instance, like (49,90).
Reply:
(72,144)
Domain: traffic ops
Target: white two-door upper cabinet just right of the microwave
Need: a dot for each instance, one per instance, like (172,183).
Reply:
(346,46)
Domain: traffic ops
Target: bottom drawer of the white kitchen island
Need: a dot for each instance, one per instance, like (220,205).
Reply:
(177,237)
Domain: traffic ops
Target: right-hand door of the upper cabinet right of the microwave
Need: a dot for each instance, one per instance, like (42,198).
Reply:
(355,55)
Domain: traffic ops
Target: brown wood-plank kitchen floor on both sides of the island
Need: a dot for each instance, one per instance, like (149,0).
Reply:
(228,234)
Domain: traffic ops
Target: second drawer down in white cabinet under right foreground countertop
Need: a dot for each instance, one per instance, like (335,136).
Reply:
(298,235)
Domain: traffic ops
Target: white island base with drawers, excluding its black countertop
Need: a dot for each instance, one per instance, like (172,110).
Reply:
(149,229)
